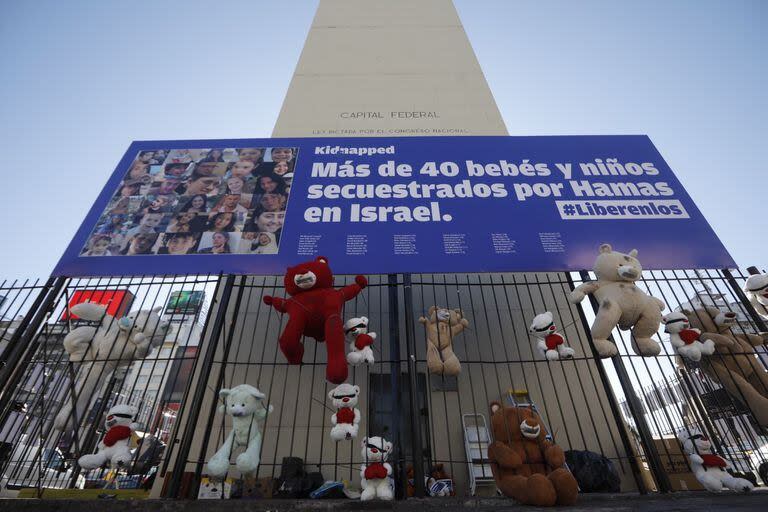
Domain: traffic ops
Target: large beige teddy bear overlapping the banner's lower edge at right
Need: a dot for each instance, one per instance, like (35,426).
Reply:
(622,303)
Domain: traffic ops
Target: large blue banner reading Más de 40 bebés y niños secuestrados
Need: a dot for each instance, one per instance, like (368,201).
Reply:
(390,205)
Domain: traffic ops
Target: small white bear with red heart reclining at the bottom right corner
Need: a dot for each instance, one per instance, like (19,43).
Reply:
(709,469)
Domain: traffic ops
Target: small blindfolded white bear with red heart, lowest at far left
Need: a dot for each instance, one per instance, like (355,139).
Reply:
(115,448)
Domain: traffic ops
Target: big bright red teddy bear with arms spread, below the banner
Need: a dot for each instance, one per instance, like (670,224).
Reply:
(314,310)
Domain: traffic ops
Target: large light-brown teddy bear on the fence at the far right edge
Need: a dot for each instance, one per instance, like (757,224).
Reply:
(734,363)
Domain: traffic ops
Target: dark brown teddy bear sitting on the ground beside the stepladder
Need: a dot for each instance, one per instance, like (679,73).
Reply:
(525,465)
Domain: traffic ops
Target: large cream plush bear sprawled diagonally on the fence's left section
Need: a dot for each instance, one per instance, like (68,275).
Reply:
(103,348)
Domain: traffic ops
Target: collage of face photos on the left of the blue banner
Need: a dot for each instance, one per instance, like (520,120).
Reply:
(197,201)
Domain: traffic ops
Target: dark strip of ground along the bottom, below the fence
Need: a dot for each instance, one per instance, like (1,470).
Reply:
(681,501)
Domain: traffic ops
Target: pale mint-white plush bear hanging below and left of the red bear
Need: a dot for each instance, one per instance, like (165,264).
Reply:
(245,404)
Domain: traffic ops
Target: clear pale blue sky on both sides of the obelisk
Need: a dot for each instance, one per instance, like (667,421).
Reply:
(80,80)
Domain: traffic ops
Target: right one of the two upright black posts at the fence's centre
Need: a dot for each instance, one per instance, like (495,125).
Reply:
(413,395)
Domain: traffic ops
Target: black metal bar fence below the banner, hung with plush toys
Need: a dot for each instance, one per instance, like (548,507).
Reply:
(627,409)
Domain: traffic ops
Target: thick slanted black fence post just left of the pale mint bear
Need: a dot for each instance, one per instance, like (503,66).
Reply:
(199,392)
